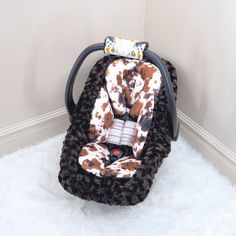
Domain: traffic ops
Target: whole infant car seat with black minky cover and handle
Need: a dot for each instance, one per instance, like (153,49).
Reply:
(122,125)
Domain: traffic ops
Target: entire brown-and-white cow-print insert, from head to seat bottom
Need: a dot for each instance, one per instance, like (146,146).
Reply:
(121,117)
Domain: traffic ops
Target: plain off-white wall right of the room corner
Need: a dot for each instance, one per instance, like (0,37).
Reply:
(199,37)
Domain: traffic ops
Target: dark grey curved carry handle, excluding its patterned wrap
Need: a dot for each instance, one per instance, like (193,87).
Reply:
(156,60)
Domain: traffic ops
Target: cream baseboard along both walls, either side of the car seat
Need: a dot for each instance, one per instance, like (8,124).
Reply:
(55,122)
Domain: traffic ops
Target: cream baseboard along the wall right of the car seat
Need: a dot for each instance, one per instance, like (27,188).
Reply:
(211,148)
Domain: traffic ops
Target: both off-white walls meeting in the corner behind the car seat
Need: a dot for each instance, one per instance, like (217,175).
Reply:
(41,39)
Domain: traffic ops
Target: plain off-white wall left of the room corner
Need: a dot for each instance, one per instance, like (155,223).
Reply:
(40,41)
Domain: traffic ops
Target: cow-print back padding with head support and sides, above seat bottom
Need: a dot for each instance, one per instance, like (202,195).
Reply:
(132,86)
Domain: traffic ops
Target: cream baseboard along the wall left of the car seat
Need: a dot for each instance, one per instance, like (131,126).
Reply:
(33,130)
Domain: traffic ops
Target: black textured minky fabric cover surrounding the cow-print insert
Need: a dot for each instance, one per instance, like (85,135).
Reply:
(112,190)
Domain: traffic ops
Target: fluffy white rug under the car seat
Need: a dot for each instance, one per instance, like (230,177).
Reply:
(188,197)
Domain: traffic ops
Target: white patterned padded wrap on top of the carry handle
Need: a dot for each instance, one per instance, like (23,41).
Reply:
(125,47)
